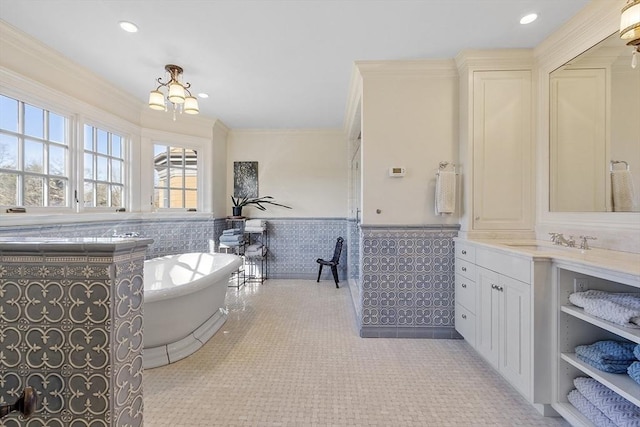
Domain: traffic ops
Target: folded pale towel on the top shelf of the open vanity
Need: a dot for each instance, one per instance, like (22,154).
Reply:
(620,308)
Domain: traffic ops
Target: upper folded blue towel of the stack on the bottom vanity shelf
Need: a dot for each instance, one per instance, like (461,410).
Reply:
(618,409)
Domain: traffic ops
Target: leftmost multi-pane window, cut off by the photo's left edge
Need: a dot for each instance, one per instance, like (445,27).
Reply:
(34,156)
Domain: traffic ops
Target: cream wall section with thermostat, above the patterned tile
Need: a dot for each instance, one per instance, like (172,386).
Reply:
(410,120)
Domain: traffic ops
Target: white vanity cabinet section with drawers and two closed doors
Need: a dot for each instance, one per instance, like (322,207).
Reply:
(506,294)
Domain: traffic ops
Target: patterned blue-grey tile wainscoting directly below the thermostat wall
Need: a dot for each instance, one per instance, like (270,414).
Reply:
(407,282)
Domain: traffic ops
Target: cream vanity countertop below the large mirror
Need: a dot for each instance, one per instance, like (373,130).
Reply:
(616,262)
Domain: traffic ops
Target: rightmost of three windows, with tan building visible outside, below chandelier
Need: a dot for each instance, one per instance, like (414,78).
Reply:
(175,177)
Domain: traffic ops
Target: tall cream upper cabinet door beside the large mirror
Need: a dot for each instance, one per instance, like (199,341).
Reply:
(502,150)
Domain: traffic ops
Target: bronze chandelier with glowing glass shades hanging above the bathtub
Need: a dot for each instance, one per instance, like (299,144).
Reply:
(177,94)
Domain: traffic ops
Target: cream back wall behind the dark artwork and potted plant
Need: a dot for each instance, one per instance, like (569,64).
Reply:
(304,169)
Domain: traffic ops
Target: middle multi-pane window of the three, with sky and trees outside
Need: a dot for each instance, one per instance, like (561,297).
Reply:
(103,168)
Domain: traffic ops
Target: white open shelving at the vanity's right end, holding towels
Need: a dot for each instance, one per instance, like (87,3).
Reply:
(576,327)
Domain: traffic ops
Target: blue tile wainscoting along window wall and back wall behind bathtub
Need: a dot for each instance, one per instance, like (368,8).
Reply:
(294,244)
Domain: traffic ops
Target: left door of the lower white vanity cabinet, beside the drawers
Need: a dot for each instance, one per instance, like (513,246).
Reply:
(487,314)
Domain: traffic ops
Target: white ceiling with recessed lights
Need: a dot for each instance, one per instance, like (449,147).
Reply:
(271,64)
